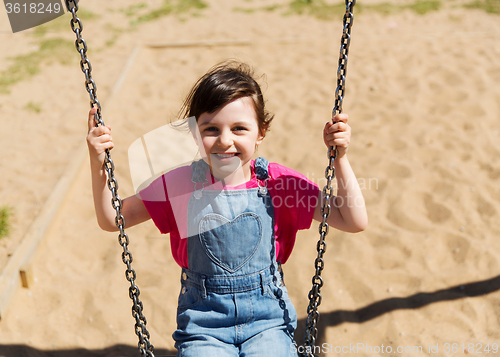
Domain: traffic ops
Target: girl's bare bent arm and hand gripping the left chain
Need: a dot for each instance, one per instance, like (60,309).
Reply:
(133,209)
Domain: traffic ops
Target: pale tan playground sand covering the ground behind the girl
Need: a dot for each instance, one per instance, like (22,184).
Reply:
(422,96)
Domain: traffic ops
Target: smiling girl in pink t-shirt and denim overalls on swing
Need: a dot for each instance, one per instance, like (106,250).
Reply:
(232,220)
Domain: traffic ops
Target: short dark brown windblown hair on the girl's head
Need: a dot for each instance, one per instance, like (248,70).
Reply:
(223,83)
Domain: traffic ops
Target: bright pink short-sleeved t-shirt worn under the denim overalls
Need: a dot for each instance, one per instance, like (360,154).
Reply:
(294,199)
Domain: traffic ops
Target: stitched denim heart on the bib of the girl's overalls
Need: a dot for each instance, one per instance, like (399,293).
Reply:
(230,243)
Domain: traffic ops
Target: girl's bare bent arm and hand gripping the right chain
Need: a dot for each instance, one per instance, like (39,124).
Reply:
(348,211)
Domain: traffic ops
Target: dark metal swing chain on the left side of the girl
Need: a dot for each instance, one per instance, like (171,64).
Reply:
(145,347)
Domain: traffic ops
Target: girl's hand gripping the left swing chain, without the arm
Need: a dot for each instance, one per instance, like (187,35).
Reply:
(98,139)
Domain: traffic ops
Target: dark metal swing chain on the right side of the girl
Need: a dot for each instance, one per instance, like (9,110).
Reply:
(317,280)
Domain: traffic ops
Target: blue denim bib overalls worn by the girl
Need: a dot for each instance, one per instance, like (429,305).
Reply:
(233,301)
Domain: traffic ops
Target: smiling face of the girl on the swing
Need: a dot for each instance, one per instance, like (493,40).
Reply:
(229,137)
